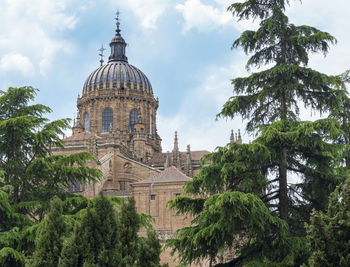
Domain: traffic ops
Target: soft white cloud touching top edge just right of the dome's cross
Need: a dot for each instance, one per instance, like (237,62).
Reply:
(148,11)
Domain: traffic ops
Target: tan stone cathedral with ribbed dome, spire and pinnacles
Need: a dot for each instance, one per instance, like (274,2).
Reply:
(117,123)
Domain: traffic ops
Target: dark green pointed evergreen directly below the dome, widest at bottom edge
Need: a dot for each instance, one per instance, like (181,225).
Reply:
(95,241)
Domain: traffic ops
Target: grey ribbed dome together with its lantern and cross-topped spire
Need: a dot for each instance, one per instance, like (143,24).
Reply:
(117,73)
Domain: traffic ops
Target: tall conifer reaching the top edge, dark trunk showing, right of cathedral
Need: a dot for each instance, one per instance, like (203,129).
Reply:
(270,100)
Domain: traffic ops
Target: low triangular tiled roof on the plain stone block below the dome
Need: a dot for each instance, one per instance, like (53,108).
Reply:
(169,175)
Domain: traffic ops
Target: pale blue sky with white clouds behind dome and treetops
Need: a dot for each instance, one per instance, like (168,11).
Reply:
(183,47)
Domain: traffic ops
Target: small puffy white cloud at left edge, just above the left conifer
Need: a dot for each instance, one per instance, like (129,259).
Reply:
(16,62)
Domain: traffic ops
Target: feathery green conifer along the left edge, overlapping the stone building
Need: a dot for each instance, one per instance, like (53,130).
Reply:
(32,176)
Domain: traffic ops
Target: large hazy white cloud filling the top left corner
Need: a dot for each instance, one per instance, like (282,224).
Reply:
(31,27)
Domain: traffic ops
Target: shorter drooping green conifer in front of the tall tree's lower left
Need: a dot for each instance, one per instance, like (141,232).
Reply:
(229,213)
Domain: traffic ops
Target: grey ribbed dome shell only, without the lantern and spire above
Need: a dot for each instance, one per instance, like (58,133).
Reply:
(117,71)
